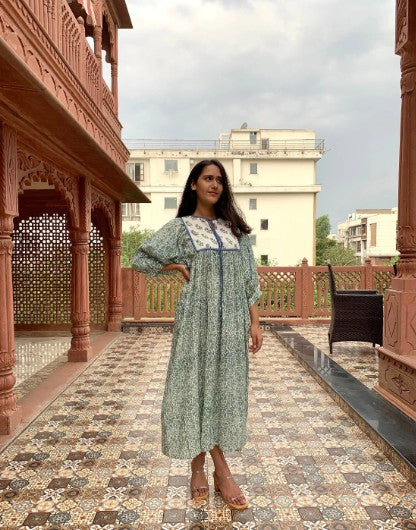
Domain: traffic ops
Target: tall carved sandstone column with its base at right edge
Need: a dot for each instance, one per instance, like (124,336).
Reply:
(397,368)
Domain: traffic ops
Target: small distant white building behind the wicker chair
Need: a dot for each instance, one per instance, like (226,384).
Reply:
(371,234)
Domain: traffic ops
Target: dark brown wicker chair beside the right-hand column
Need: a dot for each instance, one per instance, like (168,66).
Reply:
(356,315)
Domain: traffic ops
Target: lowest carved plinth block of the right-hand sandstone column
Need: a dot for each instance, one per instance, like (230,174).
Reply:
(397,380)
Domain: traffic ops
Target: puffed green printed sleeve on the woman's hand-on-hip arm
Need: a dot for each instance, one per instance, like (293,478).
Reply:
(160,249)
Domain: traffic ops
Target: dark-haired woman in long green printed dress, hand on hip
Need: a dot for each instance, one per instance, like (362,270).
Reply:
(205,400)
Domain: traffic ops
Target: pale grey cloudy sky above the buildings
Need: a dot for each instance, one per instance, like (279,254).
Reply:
(191,69)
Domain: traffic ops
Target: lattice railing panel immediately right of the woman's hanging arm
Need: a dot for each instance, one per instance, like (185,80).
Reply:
(278,292)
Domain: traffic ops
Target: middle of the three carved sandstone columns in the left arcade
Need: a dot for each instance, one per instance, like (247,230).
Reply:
(80,299)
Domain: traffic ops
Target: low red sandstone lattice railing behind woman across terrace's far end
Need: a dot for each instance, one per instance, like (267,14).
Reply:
(293,294)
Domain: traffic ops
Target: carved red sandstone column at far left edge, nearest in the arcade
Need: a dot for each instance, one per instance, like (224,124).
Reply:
(10,413)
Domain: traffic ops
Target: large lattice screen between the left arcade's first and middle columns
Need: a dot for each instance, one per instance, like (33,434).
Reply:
(41,266)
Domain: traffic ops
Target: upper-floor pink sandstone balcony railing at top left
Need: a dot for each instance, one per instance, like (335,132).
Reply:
(47,37)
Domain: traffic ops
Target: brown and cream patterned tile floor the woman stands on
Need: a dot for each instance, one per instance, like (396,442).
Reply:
(92,459)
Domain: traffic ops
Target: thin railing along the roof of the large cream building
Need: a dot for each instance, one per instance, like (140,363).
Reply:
(306,144)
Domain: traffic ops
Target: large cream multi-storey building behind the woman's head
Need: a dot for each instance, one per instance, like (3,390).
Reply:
(272,173)
